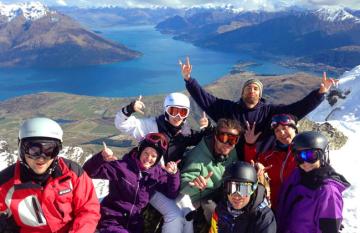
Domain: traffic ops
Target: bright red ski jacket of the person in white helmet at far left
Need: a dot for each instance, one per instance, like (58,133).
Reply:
(67,203)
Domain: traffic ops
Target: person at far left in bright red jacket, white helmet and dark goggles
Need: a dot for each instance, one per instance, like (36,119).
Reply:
(43,192)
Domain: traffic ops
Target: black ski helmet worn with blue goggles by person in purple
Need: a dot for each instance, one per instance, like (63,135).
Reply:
(312,140)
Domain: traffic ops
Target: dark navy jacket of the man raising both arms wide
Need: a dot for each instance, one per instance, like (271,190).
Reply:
(262,113)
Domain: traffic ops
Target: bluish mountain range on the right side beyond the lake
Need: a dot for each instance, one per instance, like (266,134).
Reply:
(328,36)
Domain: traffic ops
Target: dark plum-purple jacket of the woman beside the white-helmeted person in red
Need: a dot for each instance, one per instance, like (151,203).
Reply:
(129,190)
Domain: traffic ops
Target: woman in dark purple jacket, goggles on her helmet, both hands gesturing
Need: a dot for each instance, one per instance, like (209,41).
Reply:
(132,181)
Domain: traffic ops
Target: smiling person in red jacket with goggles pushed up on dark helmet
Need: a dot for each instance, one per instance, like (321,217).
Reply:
(279,161)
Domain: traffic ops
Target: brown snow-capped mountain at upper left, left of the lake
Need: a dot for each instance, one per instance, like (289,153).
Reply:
(33,35)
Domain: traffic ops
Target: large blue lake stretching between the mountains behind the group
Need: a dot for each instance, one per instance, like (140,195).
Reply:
(156,72)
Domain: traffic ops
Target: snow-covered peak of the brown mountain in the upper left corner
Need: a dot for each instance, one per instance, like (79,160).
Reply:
(30,10)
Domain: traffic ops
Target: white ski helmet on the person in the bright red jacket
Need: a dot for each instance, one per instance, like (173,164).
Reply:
(40,127)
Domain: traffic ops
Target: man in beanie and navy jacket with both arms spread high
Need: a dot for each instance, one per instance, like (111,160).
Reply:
(251,107)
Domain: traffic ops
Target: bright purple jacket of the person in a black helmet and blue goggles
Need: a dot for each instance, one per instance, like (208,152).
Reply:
(310,209)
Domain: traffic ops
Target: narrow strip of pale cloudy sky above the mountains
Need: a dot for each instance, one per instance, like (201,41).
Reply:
(269,5)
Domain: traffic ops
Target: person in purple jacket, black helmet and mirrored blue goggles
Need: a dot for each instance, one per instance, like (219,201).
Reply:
(311,199)
